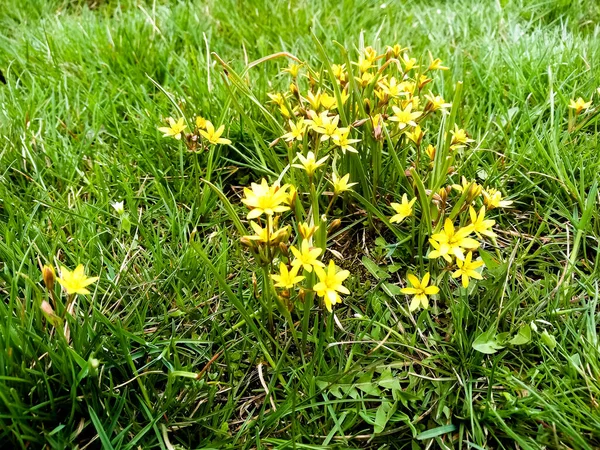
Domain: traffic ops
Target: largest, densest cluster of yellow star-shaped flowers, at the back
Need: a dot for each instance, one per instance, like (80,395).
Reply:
(382,98)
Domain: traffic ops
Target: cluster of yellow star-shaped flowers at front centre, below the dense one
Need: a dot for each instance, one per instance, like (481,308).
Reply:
(270,242)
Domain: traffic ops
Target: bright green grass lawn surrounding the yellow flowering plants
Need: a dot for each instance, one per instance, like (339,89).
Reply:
(78,118)
